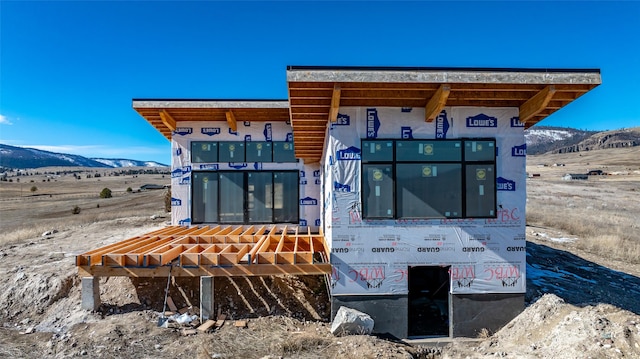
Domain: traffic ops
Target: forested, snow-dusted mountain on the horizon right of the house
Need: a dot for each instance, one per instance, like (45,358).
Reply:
(543,139)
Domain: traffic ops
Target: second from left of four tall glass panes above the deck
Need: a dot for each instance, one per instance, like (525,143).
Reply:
(231,197)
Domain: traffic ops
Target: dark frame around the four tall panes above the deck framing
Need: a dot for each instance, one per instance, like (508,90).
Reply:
(245,205)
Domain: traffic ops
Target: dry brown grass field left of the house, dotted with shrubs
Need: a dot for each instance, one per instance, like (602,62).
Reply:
(27,214)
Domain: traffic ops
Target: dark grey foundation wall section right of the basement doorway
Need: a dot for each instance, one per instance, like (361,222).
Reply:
(473,312)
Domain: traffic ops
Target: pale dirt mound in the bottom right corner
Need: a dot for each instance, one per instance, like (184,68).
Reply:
(551,328)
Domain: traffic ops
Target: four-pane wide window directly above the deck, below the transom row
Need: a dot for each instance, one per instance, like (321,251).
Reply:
(245,197)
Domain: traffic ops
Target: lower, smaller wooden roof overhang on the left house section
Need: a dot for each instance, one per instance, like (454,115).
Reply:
(166,115)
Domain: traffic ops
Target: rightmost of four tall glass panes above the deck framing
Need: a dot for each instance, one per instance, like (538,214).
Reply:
(285,197)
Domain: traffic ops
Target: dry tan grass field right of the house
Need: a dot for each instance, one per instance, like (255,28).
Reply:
(601,213)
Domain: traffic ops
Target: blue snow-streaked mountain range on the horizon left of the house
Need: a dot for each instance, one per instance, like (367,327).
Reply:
(21,157)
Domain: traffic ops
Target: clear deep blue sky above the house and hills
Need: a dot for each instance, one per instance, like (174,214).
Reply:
(68,70)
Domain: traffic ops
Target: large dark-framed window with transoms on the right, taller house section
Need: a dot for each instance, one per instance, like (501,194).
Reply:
(412,179)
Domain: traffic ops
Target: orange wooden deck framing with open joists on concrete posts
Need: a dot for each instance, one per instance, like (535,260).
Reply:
(210,251)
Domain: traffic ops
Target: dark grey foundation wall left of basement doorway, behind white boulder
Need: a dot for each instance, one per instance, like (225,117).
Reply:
(389,312)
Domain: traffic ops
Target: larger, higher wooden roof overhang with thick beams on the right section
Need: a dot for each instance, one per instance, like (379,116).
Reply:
(316,93)
